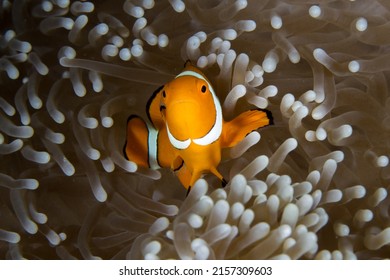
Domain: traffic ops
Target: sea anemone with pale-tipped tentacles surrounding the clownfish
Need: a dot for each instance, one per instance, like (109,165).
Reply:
(312,186)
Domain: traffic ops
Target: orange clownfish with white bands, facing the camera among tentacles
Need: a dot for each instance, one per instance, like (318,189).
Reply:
(185,130)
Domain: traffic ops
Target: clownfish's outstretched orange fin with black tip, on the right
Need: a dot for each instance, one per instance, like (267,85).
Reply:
(235,130)
